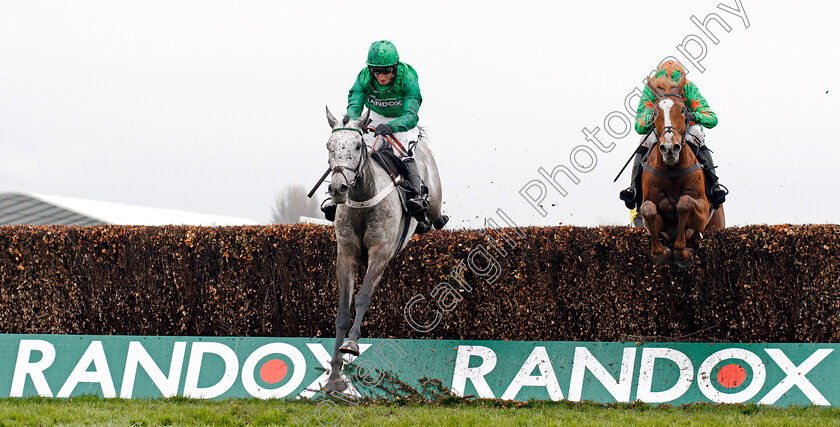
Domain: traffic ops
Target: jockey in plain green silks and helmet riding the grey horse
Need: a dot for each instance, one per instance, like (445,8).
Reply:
(390,90)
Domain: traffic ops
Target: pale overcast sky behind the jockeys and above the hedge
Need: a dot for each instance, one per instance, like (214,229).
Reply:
(215,106)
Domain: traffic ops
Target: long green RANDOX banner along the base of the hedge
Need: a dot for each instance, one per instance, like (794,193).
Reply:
(219,367)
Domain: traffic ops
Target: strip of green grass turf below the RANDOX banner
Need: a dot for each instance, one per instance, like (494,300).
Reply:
(180,411)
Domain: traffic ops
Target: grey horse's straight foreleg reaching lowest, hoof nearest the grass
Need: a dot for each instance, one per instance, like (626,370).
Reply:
(346,266)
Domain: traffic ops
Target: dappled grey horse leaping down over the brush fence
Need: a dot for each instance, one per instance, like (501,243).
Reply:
(369,225)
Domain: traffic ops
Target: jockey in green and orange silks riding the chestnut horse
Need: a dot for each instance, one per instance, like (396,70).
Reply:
(699,115)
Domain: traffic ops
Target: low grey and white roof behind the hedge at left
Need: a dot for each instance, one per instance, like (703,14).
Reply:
(39,209)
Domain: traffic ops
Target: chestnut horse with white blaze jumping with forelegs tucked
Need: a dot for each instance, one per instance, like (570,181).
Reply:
(673,184)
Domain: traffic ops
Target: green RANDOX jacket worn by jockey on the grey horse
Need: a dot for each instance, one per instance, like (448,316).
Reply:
(401,99)
